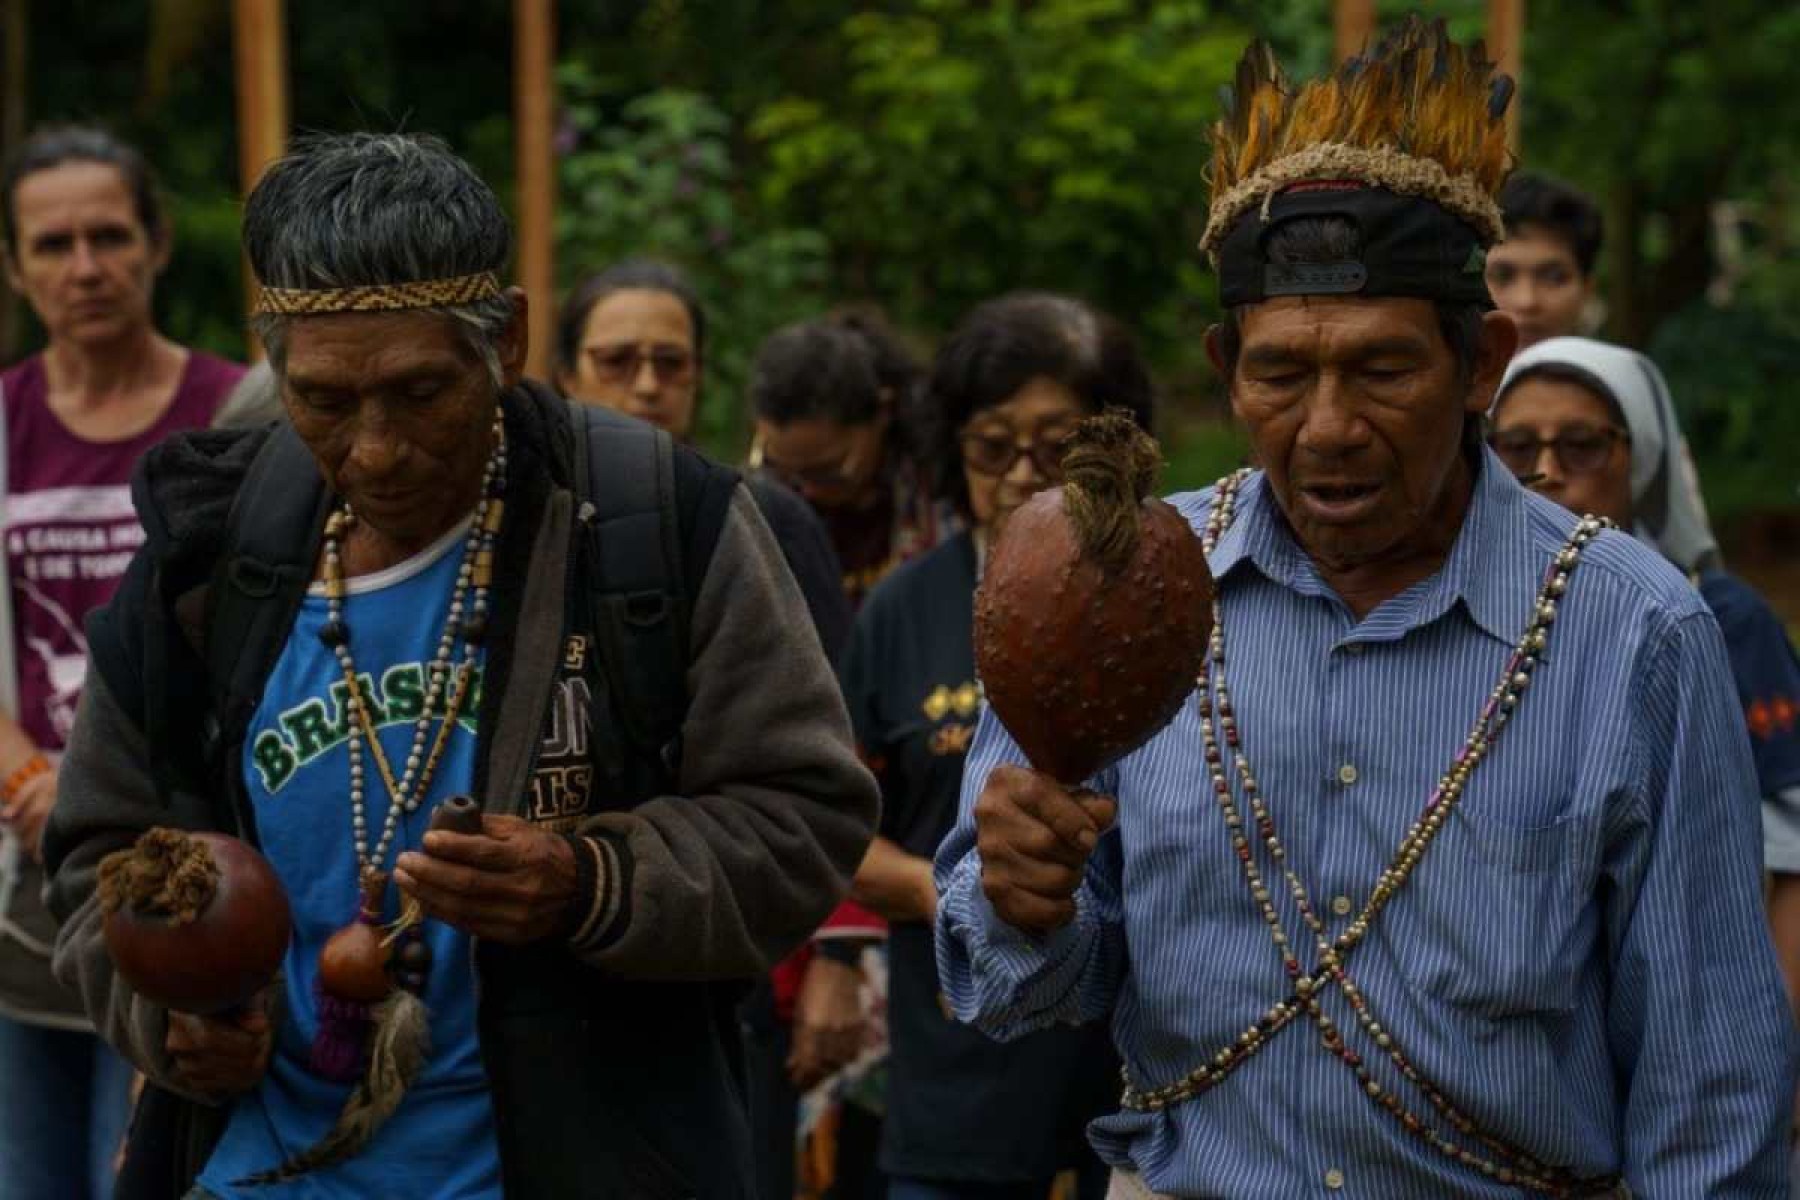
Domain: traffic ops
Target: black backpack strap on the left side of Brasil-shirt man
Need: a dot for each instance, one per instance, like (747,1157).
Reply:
(260,580)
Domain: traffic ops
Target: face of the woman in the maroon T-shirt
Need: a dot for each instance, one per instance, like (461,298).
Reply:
(82,258)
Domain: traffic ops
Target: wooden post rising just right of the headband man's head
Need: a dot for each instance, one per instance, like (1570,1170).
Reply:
(534,132)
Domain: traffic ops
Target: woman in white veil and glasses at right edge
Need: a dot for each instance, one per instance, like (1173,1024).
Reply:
(1590,425)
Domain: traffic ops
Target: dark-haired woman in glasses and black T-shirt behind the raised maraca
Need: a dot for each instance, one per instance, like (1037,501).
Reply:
(969,1116)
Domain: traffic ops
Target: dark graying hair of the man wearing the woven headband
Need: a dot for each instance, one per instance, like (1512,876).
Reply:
(363,210)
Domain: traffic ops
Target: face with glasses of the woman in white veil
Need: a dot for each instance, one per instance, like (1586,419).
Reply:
(1572,442)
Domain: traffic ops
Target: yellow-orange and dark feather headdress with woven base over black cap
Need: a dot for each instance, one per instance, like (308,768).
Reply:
(1417,116)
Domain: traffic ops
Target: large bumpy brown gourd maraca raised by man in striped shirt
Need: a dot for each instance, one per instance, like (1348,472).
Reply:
(1095,609)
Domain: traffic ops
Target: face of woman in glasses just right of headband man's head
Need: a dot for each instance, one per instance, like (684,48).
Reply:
(638,357)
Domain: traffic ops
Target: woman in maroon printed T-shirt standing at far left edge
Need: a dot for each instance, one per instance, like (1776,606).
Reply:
(85,242)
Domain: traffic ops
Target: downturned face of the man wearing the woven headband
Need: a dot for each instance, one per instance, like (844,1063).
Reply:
(399,411)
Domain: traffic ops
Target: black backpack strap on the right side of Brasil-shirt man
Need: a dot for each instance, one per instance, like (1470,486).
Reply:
(642,611)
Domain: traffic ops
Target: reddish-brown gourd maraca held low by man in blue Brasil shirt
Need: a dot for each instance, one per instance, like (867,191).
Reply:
(195,922)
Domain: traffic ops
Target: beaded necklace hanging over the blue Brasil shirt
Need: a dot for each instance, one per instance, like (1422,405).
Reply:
(467,620)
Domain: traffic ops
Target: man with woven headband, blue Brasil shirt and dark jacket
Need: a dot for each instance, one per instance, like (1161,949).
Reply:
(440,580)
